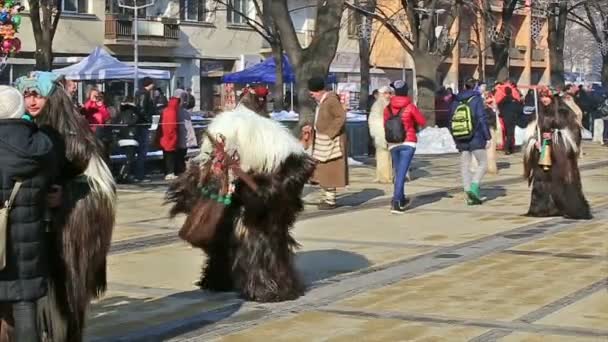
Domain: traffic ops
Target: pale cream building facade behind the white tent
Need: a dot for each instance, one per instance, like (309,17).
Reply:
(198,41)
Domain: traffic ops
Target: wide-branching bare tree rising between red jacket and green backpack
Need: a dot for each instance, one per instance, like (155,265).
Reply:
(419,38)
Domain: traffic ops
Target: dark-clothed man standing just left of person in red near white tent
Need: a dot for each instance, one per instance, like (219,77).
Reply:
(146,109)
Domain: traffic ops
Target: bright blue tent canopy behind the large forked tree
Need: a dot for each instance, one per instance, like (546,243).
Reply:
(264,72)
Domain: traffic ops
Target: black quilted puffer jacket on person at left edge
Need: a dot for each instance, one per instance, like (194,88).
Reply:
(26,153)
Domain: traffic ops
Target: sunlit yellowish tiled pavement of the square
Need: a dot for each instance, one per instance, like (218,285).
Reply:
(442,272)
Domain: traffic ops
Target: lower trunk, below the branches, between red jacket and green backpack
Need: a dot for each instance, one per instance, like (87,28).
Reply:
(426,81)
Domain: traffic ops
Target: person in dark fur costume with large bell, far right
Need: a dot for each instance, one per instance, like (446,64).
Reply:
(550,161)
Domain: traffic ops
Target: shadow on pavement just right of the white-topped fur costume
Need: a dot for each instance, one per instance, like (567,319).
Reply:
(322,264)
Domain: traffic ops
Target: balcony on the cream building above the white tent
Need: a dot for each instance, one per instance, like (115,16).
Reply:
(155,33)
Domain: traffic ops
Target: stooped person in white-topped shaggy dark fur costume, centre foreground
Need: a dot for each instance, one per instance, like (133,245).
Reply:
(242,195)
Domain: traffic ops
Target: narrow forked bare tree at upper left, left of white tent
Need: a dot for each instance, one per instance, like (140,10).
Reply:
(45,16)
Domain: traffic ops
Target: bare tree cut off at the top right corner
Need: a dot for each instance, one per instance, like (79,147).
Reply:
(593,16)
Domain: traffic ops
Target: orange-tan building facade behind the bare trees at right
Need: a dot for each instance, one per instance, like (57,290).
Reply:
(472,54)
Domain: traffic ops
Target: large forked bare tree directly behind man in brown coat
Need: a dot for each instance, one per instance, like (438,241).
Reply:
(314,60)
